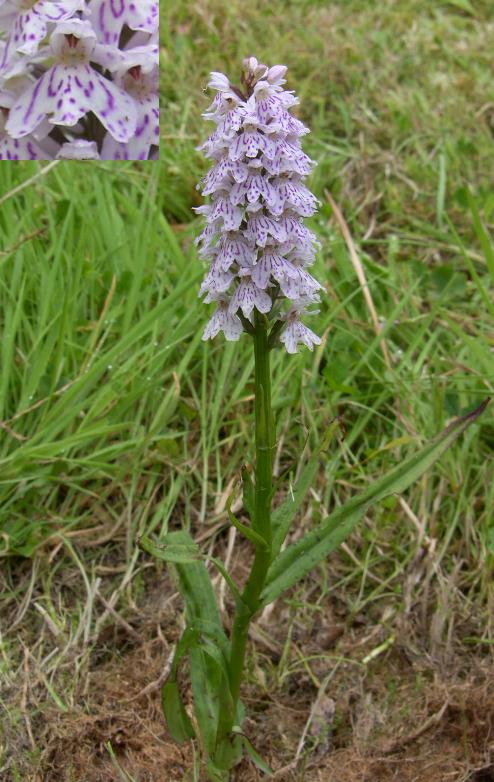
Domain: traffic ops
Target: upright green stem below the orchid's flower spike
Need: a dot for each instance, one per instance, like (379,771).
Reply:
(265,443)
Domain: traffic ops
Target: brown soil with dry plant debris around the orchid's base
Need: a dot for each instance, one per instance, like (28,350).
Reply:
(403,715)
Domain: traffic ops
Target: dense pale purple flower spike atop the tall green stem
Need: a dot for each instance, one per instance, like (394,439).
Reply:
(255,240)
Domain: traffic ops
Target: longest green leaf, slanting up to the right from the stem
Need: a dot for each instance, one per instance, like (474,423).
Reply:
(301,557)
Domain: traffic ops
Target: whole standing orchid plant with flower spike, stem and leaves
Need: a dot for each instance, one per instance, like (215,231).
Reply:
(259,252)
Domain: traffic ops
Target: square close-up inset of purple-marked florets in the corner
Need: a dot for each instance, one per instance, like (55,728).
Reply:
(79,79)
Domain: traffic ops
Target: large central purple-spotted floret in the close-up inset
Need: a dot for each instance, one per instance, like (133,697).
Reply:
(71,87)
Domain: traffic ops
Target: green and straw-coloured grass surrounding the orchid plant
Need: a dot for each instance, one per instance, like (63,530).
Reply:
(117,419)
